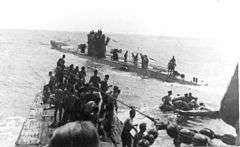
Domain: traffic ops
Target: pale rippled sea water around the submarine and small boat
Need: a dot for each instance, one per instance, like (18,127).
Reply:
(26,59)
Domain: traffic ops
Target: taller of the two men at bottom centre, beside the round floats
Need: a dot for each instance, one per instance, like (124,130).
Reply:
(127,127)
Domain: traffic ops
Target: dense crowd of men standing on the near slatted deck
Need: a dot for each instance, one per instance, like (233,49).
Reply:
(76,100)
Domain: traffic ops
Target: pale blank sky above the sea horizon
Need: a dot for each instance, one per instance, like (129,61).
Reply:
(204,18)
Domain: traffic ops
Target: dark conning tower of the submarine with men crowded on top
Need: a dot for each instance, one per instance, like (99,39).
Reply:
(97,43)
